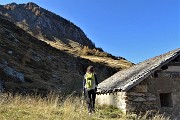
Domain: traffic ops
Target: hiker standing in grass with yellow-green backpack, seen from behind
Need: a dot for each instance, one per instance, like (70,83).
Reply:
(89,88)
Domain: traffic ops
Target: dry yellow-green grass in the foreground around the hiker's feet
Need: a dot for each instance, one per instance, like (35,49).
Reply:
(55,107)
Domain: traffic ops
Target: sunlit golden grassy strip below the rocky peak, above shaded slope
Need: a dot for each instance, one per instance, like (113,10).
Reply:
(92,54)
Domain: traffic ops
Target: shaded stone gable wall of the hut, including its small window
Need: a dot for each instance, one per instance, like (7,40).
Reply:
(159,92)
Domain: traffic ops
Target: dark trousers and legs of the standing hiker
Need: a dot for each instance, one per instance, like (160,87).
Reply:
(90,99)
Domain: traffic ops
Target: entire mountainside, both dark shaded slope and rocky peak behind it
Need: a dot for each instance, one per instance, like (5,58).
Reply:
(35,59)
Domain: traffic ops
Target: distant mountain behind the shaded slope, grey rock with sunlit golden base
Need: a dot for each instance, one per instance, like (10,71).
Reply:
(59,33)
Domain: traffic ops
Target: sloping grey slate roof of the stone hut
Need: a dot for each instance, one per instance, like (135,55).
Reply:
(126,79)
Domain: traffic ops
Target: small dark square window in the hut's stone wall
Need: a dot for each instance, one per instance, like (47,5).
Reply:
(165,99)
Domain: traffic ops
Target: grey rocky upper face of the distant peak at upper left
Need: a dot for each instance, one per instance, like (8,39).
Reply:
(44,24)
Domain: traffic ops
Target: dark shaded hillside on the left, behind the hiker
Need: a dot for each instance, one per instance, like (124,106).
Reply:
(28,64)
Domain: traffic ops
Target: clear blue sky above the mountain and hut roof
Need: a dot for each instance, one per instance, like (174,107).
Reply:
(134,29)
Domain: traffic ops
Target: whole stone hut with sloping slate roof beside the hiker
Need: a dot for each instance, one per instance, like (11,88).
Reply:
(152,85)
